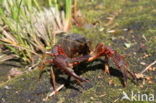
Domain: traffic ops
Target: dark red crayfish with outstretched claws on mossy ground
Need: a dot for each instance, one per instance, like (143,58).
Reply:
(74,49)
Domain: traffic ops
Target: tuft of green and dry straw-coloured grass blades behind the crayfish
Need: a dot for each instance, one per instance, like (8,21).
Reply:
(29,29)
